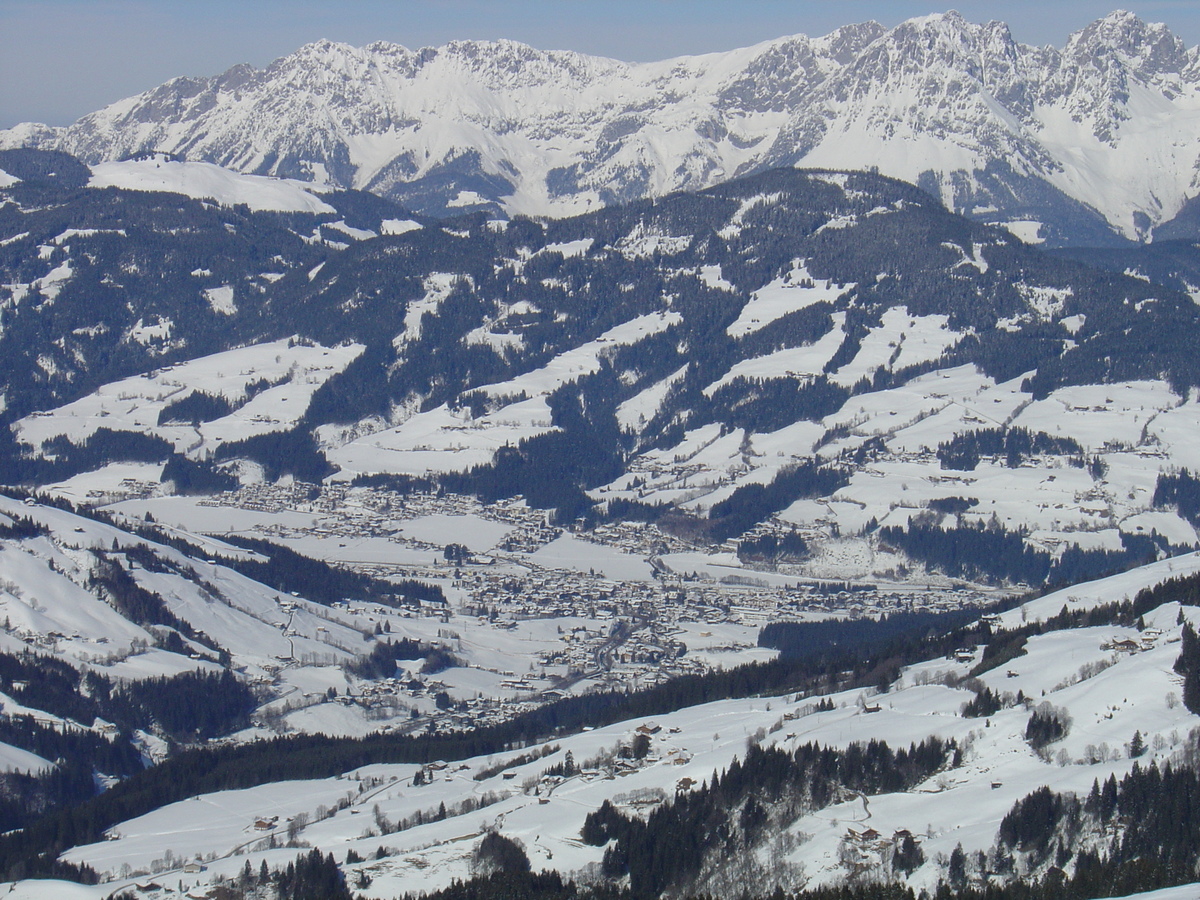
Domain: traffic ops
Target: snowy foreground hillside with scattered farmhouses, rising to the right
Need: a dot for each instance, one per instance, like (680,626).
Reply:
(1108,697)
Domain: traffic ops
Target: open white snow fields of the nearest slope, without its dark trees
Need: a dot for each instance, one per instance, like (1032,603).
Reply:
(1109,697)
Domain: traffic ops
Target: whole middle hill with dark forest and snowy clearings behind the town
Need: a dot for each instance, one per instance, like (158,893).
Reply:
(825,355)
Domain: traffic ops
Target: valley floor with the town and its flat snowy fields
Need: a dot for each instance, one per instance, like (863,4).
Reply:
(533,611)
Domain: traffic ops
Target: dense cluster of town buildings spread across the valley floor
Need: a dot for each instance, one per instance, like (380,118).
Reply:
(613,633)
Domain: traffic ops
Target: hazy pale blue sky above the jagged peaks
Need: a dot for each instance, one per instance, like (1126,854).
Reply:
(61,59)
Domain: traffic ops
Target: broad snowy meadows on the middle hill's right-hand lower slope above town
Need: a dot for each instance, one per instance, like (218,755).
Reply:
(1136,430)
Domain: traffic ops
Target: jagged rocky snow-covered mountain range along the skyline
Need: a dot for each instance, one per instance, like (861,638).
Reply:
(1088,145)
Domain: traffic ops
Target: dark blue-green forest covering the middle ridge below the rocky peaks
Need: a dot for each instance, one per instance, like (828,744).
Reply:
(517,281)
